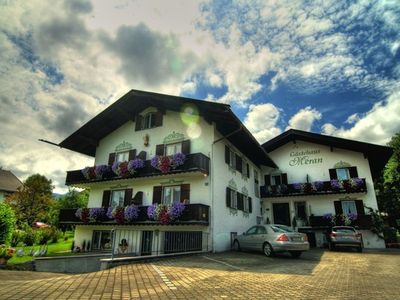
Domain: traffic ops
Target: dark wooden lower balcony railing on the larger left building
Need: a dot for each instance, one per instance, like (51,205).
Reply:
(192,214)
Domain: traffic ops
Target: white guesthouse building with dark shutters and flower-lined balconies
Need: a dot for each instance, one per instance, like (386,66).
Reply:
(219,181)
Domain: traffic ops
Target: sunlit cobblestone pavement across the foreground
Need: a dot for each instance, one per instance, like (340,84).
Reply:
(317,275)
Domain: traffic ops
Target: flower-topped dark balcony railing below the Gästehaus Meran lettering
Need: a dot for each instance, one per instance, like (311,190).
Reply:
(354,185)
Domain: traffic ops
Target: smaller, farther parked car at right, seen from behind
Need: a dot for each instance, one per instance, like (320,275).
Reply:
(345,236)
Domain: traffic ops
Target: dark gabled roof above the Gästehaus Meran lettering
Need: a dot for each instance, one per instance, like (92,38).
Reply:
(376,154)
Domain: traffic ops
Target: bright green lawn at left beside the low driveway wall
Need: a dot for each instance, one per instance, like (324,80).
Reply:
(62,247)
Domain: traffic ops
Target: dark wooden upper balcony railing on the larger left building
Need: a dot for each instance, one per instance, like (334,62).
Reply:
(196,162)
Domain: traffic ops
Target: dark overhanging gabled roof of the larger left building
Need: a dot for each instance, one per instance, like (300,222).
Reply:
(86,138)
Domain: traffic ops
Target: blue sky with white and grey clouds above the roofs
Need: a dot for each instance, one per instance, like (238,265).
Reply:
(330,67)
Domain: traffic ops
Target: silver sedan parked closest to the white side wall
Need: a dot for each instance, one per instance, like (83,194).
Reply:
(271,239)
